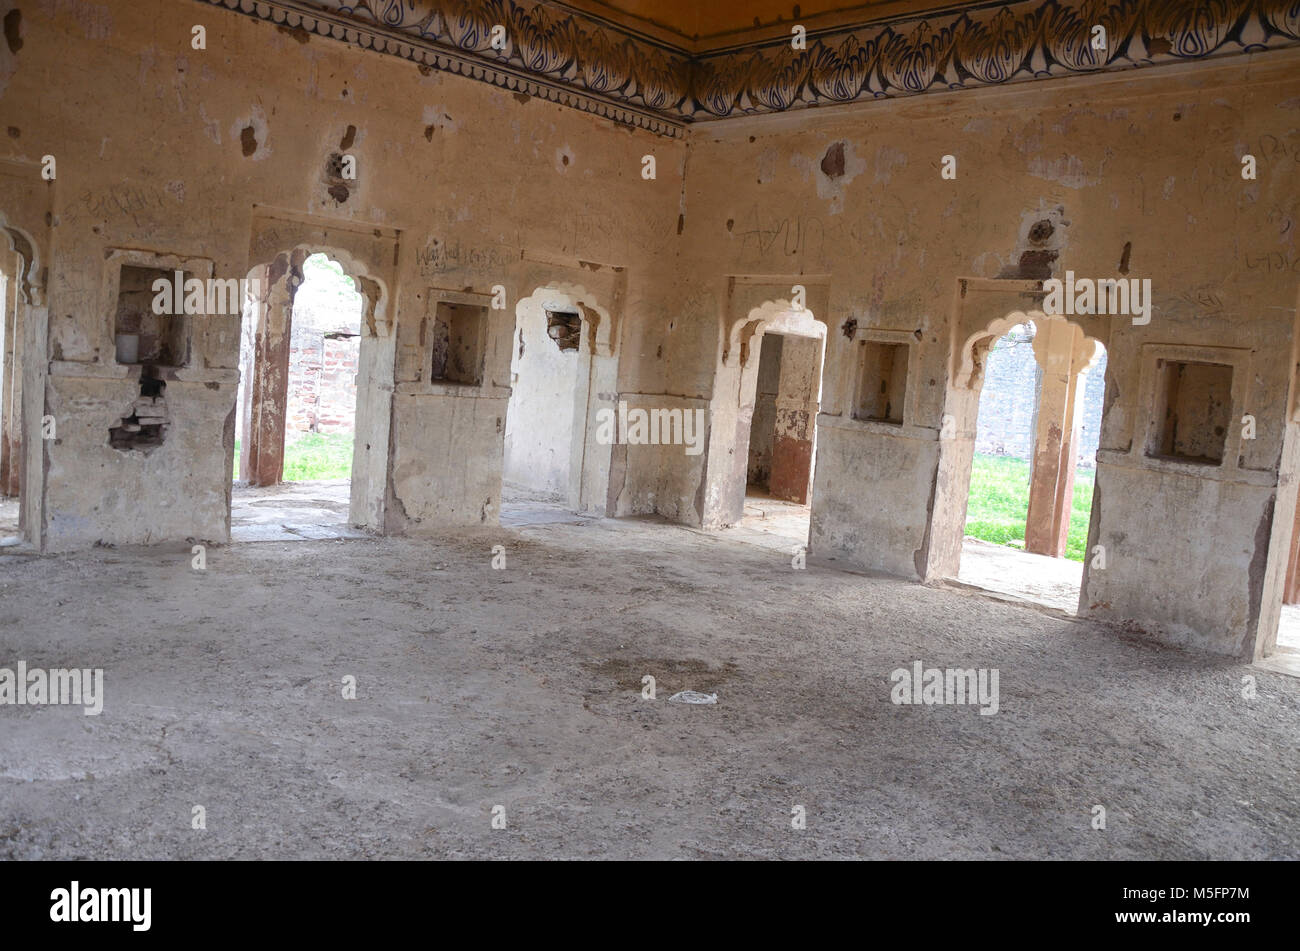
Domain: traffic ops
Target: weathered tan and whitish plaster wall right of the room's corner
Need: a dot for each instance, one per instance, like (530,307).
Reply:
(1137,179)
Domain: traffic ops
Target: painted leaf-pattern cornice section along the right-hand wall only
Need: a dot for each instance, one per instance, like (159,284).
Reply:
(987,47)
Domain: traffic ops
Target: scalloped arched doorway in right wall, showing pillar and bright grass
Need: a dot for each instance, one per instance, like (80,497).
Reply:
(1037,485)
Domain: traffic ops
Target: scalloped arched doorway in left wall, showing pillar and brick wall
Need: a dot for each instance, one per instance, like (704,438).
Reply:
(311,422)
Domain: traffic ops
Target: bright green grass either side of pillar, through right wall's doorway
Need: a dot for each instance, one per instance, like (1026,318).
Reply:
(1000,502)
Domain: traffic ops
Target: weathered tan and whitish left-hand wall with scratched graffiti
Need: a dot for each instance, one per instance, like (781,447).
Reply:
(168,149)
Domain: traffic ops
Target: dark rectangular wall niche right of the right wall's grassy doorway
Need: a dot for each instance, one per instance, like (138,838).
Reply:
(1194,409)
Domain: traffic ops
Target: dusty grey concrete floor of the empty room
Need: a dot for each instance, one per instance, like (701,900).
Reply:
(522,688)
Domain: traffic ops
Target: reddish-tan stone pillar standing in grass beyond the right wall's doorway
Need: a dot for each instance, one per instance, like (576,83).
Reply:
(1064,354)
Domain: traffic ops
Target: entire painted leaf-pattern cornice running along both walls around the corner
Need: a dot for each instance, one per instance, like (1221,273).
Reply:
(565,57)
